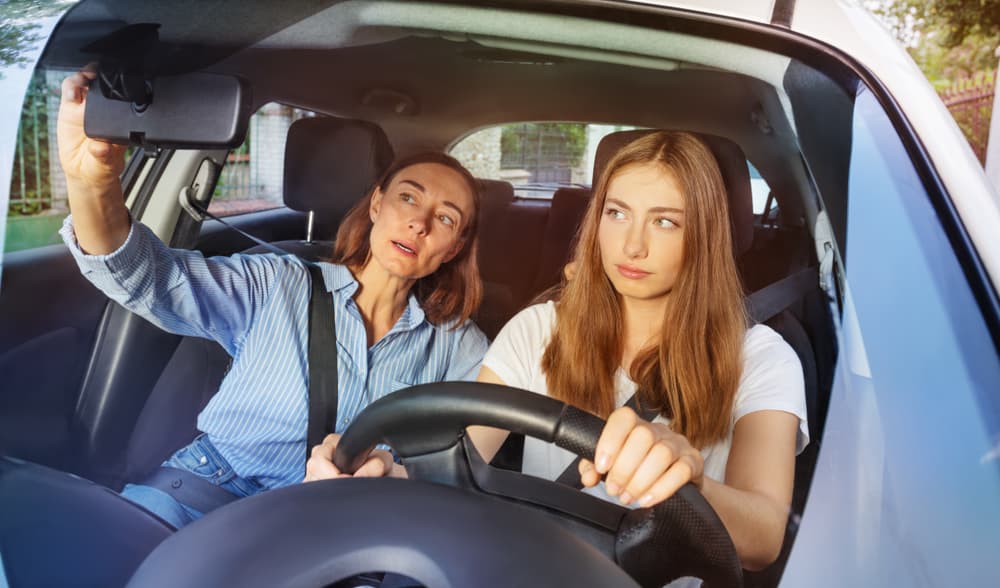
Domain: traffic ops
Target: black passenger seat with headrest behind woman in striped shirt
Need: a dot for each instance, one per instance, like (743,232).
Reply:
(329,165)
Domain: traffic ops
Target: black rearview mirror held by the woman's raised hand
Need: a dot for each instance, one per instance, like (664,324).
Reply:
(196,110)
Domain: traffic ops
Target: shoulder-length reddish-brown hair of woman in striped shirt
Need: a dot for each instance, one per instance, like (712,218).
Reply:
(454,290)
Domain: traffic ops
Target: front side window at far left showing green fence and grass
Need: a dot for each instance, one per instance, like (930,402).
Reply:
(38,202)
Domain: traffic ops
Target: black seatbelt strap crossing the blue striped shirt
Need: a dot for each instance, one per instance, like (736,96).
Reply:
(322,361)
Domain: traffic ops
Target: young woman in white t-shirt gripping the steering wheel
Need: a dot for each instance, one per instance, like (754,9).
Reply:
(655,308)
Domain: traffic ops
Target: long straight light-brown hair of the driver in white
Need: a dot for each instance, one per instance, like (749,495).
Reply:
(692,372)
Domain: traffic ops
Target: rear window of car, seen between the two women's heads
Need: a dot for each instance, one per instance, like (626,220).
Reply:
(537,158)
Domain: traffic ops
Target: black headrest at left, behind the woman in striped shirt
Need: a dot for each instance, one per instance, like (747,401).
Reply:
(331,163)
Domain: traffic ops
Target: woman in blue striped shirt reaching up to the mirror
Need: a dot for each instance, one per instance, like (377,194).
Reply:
(403,277)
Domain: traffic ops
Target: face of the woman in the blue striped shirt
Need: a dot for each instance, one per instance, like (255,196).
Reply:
(418,220)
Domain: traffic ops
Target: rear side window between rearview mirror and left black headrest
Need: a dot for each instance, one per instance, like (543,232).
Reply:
(253,177)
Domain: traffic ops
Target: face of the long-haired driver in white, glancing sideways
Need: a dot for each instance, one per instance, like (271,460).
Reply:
(641,233)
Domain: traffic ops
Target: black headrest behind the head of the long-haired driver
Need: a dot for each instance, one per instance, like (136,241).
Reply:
(735,175)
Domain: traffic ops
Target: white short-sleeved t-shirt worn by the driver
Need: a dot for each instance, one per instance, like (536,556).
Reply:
(771,380)
